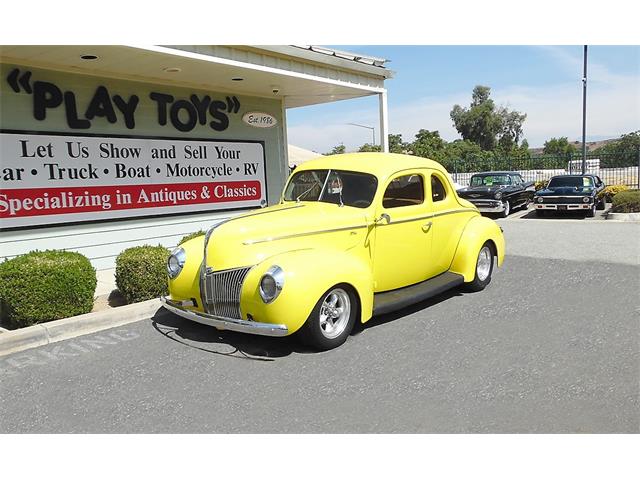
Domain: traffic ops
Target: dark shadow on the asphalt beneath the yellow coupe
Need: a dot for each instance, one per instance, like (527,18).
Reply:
(259,348)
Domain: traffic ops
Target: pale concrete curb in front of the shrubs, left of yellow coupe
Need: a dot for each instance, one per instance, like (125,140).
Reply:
(45,333)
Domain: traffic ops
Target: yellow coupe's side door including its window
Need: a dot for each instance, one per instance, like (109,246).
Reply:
(402,248)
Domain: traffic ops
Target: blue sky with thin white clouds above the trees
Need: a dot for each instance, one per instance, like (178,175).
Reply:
(542,81)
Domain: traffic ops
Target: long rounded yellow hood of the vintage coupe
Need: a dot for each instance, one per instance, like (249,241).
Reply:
(253,237)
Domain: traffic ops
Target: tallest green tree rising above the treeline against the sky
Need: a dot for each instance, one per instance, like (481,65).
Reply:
(485,124)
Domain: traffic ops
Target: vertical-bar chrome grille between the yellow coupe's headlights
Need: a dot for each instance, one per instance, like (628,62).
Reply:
(222,292)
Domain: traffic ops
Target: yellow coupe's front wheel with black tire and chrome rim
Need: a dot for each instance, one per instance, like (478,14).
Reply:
(332,318)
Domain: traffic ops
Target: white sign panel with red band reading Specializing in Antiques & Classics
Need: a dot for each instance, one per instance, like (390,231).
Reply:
(50,179)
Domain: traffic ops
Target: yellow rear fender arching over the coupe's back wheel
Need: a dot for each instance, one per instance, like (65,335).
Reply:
(477,231)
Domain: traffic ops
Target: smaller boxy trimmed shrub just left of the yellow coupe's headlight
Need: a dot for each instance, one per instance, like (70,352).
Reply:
(141,273)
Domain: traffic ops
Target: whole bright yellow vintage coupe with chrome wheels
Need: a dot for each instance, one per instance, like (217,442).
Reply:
(353,236)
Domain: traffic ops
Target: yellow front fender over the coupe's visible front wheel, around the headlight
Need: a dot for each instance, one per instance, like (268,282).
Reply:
(308,274)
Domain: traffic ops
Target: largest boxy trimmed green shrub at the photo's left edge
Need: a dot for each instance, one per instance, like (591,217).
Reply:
(43,286)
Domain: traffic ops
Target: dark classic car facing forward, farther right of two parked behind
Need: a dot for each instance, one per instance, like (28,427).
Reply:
(570,193)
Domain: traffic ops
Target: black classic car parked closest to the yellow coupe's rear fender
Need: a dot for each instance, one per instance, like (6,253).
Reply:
(498,192)
